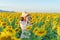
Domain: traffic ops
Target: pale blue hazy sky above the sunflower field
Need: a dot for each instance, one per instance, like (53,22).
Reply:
(30,5)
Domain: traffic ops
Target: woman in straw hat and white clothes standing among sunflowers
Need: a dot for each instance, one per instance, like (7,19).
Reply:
(25,20)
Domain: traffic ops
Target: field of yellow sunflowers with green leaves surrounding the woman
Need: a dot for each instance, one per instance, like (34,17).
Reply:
(45,26)
